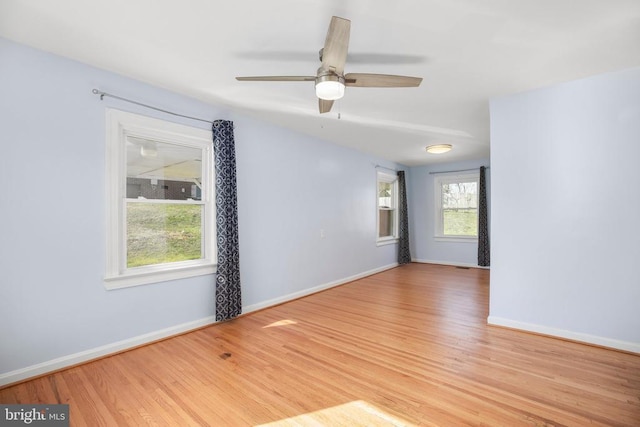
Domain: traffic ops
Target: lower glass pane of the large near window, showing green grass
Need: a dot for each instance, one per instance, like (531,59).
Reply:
(159,233)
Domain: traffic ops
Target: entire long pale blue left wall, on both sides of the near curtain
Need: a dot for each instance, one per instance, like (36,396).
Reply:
(52,251)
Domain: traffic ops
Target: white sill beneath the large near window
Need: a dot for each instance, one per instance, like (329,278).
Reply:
(145,276)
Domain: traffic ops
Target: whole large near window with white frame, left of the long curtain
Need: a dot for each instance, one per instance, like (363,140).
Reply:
(160,201)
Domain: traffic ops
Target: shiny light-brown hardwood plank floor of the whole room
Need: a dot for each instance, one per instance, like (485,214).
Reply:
(409,346)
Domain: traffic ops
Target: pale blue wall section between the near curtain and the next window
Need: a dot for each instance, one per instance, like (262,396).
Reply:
(289,189)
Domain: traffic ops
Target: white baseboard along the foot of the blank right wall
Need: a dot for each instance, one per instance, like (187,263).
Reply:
(561,333)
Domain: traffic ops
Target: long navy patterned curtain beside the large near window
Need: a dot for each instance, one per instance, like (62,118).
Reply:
(228,295)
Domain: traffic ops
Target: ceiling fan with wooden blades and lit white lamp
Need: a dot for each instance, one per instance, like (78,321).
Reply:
(330,80)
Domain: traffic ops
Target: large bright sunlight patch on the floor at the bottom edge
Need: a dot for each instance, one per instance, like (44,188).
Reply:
(352,414)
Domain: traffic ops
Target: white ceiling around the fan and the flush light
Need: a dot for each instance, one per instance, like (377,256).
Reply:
(467,51)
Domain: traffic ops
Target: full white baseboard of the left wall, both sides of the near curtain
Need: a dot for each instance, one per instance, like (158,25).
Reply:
(116,347)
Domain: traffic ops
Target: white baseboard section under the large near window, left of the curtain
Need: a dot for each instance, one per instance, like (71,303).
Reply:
(95,353)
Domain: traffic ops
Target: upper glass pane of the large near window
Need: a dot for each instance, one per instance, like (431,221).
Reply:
(160,170)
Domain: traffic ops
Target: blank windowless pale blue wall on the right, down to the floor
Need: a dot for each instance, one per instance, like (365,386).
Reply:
(566,209)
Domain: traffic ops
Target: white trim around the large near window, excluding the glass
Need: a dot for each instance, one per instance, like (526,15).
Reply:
(119,126)
